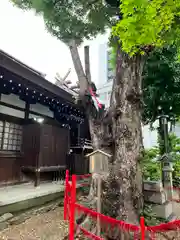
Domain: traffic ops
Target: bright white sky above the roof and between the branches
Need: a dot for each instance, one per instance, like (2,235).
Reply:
(23,35)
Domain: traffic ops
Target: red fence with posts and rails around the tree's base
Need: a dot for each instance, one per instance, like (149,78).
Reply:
(71,206)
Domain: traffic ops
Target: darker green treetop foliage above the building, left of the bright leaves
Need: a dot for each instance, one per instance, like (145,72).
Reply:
(68,19)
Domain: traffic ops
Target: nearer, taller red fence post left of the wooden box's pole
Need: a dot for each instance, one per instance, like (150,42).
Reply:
(72,208)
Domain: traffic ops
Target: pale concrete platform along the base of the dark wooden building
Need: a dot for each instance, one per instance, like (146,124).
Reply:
(20,198)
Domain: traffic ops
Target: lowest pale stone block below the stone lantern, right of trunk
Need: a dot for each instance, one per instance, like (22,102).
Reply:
(163,211)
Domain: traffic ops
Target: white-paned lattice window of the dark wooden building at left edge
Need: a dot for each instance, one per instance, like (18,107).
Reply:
(10,136)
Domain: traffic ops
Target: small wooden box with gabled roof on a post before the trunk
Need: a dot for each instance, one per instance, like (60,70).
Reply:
(98,161)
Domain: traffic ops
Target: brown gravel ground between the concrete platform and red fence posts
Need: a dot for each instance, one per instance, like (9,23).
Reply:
(47,226)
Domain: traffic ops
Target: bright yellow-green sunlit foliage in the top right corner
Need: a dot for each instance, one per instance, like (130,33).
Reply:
(148,23)
